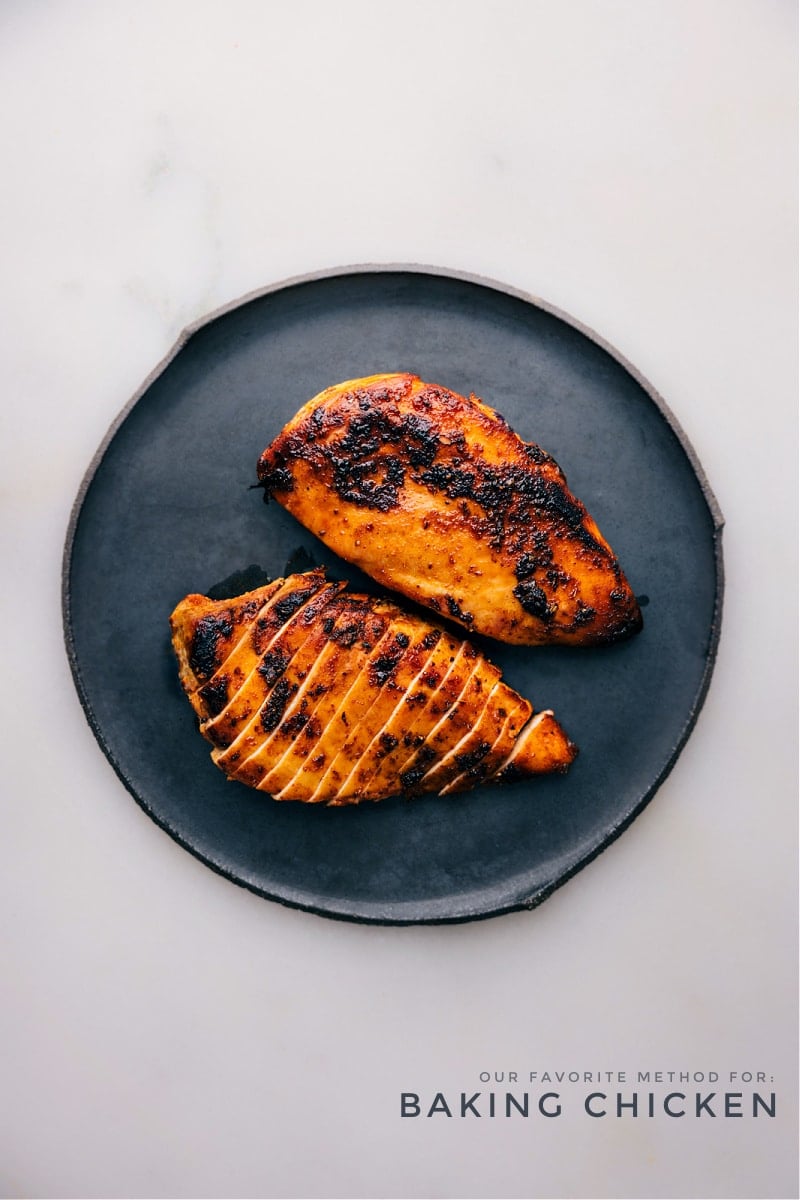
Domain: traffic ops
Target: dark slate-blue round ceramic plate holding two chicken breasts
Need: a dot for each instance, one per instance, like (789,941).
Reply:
(167,509)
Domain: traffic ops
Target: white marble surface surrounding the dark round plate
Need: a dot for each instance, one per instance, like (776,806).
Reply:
(166,1034)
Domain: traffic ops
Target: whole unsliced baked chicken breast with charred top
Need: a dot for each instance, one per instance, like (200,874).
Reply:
(436,497)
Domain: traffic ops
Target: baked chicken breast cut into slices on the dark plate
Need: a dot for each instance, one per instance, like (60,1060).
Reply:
(310,693)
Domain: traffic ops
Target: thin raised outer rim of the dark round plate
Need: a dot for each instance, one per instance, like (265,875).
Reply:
(388,917)
